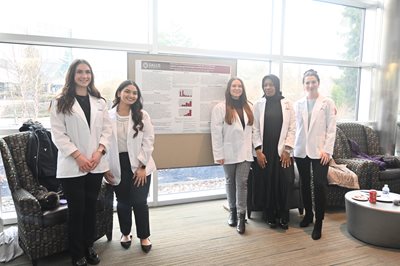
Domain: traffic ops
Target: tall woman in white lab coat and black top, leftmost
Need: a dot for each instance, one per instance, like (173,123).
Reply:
(81,130)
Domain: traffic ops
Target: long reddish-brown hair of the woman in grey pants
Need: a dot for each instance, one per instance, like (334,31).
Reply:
(230,109)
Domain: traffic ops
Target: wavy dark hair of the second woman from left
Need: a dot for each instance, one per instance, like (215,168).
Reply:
(136,108)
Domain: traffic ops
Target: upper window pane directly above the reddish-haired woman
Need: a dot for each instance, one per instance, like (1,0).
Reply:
(226,25)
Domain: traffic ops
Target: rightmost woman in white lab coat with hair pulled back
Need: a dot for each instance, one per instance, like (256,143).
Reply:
(315,138)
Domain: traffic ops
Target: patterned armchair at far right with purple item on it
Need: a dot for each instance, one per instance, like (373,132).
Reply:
(368,141)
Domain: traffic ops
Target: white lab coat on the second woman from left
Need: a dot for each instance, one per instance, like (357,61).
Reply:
(140,148)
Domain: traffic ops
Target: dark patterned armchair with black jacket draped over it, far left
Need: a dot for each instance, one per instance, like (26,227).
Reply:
(43,233)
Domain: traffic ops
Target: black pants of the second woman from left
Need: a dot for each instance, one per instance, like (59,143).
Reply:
(129,197)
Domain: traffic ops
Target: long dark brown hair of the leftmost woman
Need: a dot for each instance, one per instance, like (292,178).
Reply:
(66,98)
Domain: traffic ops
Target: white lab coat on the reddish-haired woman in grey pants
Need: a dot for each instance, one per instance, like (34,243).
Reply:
(230,142)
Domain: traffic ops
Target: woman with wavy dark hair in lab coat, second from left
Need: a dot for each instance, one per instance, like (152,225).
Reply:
(131,162)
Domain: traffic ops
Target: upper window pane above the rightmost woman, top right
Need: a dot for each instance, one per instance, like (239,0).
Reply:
(321,30)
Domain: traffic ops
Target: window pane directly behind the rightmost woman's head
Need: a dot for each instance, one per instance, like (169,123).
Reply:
(340,83)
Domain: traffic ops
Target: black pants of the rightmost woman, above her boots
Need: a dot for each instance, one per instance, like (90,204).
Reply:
(320,182)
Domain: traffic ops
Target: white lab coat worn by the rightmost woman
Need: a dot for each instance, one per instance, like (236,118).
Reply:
(320,136)
